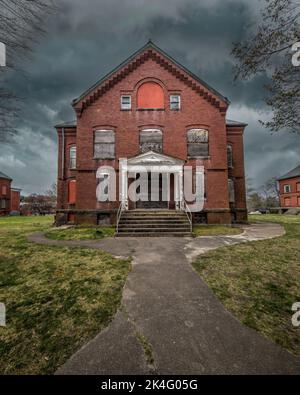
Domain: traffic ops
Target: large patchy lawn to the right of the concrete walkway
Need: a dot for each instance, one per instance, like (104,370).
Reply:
(259,281)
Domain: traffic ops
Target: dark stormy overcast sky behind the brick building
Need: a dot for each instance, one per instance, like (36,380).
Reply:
(86,39)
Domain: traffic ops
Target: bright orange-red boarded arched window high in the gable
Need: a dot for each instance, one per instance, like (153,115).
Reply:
(150,96)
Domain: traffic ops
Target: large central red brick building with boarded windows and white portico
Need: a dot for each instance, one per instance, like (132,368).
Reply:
(150,109)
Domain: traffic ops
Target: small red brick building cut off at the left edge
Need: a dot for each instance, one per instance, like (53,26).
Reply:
(9,197)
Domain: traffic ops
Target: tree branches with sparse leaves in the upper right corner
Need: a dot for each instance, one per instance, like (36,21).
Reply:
(270,50)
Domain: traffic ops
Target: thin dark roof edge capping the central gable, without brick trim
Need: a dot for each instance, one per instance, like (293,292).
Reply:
(149,44)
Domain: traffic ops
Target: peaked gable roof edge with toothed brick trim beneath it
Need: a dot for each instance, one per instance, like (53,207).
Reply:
(150,50)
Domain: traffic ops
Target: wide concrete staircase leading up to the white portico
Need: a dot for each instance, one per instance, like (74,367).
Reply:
(153,223)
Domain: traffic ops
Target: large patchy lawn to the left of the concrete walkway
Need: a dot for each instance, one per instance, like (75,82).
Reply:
(57,298)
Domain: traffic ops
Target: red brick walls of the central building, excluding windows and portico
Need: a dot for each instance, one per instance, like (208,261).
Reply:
(201,108)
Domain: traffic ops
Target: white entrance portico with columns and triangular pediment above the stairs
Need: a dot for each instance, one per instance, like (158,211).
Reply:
(163,181)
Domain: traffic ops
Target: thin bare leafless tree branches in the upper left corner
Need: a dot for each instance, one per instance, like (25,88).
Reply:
(21,24)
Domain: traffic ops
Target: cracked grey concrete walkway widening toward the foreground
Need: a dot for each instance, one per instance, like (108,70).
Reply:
(168,309)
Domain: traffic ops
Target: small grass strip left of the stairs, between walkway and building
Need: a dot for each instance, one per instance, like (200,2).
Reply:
(80,233)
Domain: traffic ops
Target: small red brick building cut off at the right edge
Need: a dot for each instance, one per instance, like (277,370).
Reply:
(289,189)
